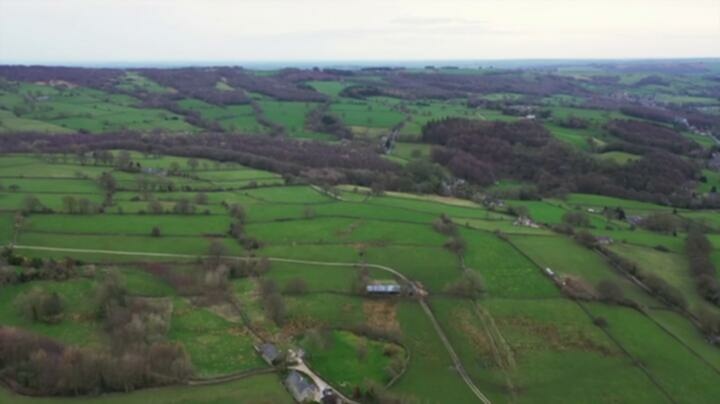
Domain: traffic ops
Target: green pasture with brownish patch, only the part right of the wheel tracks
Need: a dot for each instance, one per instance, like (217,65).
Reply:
(559,355)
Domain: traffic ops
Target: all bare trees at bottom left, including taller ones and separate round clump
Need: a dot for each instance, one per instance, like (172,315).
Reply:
(138,355)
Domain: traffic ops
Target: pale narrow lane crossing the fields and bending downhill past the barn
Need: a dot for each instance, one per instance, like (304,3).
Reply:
(438,329)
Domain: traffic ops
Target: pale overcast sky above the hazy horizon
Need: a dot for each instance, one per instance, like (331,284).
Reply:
(108,31)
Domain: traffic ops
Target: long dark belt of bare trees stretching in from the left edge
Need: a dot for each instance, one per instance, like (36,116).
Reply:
(355,163)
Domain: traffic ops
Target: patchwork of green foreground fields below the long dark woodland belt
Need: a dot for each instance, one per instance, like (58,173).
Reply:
(520,340)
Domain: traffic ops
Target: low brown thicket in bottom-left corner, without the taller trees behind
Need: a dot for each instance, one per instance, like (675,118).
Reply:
(40,365)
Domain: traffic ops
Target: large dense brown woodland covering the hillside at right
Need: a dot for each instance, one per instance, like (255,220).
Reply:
(483,152)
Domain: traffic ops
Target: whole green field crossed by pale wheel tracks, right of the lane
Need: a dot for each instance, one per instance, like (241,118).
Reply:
(545,340)
